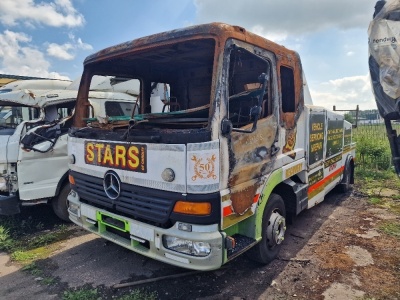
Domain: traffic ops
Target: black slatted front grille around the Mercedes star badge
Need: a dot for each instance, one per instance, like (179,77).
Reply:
(153,206)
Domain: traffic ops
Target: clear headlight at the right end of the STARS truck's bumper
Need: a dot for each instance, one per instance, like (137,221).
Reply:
(186,246)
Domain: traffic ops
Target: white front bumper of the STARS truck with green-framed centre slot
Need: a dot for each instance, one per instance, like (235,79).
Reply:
(147,239)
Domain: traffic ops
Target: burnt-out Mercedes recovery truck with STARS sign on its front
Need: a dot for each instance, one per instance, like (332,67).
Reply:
(240,151)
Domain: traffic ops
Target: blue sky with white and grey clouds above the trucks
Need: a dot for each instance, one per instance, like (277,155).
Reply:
(52,38)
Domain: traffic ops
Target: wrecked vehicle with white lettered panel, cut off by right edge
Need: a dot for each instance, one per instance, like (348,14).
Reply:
(384,67)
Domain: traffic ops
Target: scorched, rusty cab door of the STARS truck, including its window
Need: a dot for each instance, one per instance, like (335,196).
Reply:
(252,149)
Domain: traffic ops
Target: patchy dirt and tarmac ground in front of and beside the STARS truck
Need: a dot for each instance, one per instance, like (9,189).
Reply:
(335,250)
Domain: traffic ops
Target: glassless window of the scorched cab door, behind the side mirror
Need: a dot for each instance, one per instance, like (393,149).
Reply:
(244,87)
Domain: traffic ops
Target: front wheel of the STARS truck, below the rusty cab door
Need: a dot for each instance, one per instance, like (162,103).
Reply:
(273,231)
